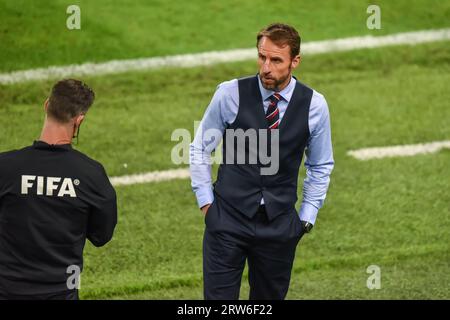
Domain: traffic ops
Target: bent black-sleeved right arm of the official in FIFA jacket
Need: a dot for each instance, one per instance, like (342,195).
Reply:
(103,216)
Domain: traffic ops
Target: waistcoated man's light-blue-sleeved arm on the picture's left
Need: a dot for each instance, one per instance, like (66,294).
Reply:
(221,111)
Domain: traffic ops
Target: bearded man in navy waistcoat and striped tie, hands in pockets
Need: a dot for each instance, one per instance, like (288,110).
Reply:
(266,122)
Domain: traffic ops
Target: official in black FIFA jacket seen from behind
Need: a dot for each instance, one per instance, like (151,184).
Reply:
(52,198)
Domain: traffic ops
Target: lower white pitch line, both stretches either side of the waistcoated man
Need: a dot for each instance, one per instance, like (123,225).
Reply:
(361,154)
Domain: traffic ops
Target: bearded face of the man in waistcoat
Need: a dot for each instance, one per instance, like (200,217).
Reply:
(275,64)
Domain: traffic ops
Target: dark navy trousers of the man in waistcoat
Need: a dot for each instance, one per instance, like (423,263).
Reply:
(231,239)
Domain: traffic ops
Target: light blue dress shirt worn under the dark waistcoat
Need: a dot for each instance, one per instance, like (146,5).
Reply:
(223,110)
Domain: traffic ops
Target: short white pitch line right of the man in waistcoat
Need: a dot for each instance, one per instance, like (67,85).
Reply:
(399,151)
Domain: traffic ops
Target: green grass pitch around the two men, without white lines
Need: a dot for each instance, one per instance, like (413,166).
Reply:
(394,213)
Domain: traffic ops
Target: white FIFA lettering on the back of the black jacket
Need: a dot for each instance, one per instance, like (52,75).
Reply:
(50,186)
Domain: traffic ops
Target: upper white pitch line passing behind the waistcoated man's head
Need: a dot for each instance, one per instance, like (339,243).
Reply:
(214,57)
